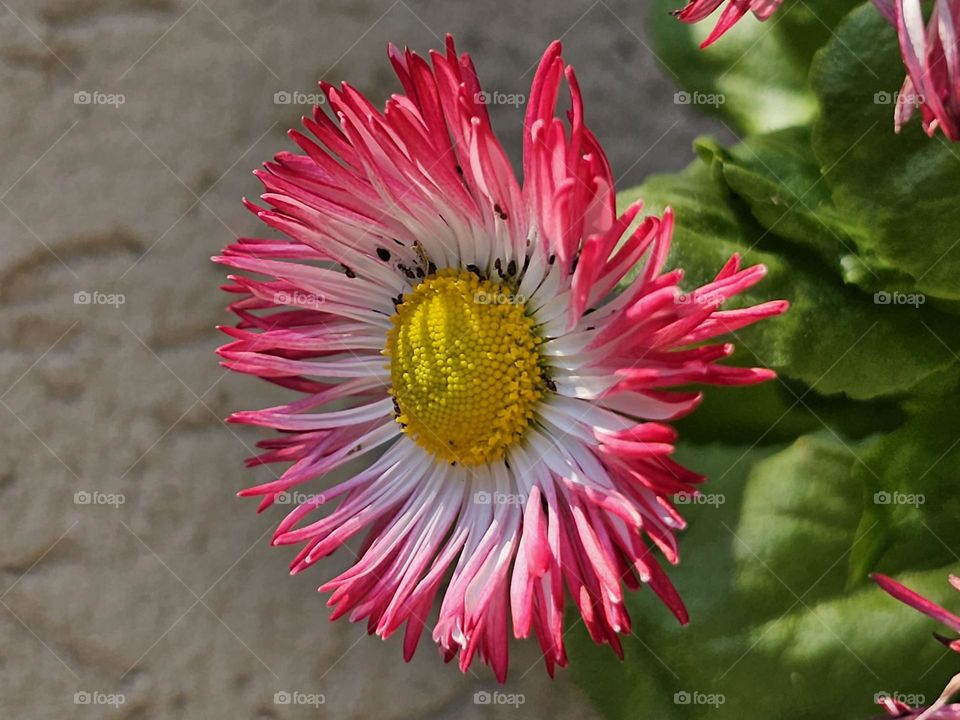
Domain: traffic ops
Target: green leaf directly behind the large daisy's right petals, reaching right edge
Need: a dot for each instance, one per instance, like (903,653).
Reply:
(835,338)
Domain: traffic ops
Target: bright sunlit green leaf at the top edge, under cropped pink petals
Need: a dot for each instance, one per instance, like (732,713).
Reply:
(755,76)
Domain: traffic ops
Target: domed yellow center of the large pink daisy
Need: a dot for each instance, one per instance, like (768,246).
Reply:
(465,367)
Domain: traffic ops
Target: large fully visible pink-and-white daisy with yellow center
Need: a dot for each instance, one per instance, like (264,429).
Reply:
(459,349)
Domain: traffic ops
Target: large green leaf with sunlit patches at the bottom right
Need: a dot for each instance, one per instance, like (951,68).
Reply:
(775,631)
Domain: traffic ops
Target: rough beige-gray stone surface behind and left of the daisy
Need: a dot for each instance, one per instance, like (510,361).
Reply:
(174,598)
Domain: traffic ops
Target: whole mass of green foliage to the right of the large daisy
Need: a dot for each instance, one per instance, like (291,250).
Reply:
(847,463)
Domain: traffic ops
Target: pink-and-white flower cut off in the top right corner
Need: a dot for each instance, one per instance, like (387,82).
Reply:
(931,53)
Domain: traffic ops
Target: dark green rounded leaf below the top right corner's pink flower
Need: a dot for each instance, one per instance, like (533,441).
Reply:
(901,191)
